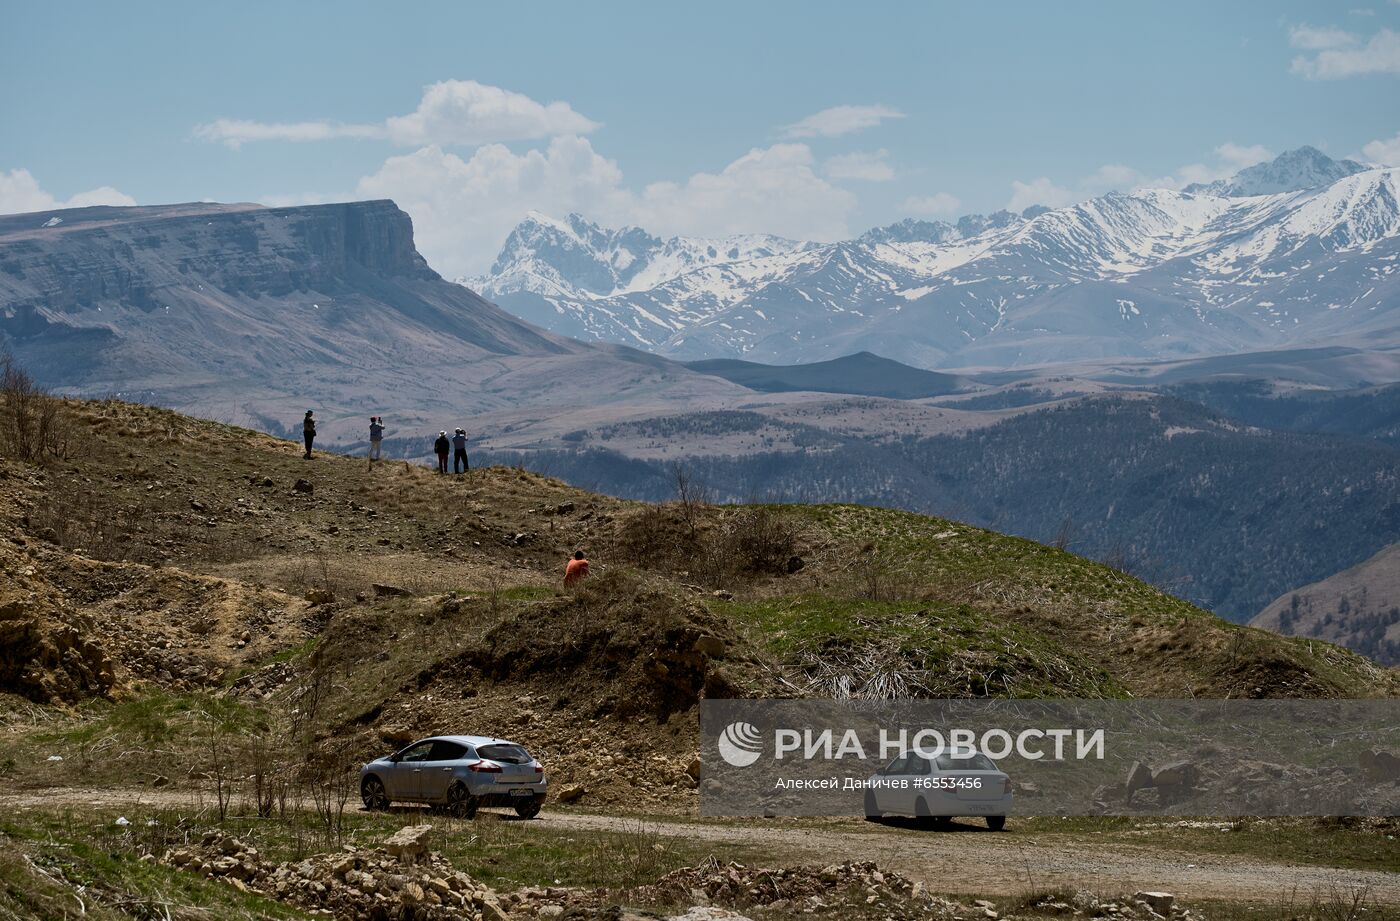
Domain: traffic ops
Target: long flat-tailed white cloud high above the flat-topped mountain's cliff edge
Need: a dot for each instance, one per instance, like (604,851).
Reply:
(450,113)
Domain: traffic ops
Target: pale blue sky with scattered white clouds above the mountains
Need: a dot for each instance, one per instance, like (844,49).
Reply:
(813,120)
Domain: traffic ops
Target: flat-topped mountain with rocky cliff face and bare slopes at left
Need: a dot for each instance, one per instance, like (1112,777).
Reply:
(253,316)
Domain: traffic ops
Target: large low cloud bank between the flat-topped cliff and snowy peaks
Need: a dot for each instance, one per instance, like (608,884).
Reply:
(464,209)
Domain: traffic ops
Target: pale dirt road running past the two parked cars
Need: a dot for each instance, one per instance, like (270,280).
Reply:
(965,859)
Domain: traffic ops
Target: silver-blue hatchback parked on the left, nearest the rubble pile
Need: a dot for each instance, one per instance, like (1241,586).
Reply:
(458,773)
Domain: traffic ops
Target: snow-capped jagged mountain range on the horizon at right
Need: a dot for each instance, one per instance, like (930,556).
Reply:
(1150,274)
